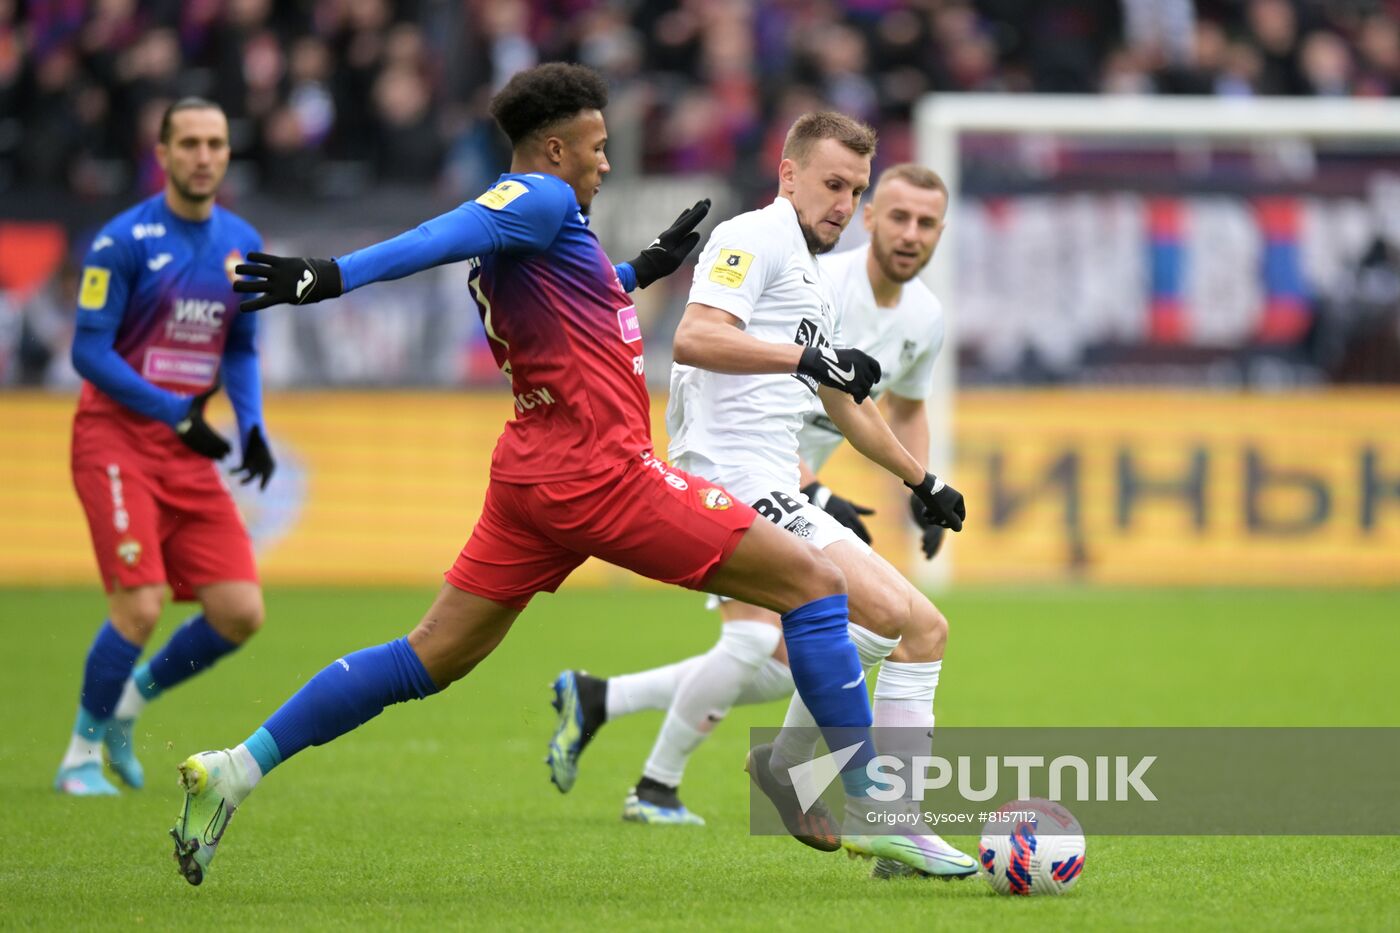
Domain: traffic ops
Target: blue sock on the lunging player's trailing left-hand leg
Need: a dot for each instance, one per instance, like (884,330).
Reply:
(345,696)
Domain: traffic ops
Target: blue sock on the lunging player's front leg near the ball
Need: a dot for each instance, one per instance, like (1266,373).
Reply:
(828,675)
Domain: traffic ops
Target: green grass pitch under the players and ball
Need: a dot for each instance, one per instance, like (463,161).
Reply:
(442,815)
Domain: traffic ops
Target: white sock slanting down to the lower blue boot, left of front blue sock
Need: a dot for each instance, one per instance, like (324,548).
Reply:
(708,696)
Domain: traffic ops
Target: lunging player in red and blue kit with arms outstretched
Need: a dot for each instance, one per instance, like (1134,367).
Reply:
(573,474)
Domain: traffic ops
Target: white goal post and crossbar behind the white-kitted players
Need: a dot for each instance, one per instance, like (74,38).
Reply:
(941,121)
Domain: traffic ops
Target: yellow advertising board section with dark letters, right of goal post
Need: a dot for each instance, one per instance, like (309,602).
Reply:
(1181,488)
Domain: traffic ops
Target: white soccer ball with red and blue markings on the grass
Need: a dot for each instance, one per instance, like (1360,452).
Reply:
(1032,847)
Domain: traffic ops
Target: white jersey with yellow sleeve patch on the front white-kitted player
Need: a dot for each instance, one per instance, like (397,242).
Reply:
(758,268)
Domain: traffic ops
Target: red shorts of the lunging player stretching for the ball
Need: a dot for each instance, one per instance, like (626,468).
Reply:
(642,515)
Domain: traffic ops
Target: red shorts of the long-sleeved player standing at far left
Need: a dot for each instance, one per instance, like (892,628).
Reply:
(170,522)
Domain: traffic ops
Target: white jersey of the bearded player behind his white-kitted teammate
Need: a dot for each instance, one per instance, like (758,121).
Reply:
(905,340)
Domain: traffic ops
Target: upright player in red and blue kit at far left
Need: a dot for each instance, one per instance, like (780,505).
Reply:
(157,330)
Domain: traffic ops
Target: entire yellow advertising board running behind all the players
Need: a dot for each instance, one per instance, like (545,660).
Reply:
(1156,488)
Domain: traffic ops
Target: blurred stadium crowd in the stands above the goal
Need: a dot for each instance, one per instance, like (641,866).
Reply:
(331,97)
